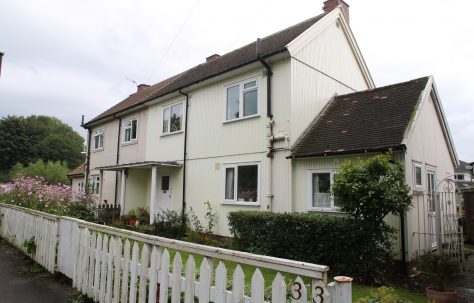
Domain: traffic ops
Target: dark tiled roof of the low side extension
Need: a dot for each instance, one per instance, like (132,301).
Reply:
(370,120)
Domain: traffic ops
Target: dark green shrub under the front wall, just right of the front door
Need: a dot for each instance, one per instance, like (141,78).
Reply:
(169,224)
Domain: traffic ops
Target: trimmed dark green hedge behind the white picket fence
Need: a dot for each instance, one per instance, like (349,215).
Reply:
(345,244)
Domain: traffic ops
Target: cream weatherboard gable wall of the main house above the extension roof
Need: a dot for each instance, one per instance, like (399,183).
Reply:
(314,70)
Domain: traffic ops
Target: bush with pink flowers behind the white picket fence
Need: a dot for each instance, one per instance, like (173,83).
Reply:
(57,199)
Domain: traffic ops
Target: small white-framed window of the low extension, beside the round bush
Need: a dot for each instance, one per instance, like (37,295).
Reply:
(319,184)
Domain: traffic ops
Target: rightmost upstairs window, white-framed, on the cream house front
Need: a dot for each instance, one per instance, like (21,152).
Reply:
(242,100)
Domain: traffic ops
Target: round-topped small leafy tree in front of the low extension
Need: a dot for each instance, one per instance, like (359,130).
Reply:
(368,190)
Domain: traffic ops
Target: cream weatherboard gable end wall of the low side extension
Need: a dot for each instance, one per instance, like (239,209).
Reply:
(426,145)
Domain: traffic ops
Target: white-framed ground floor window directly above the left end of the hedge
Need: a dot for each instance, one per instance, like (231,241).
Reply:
(241,183)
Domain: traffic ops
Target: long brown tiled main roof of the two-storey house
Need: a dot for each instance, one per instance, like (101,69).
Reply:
(270,45)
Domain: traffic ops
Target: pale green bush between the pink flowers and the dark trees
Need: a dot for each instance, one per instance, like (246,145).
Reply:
(52,172)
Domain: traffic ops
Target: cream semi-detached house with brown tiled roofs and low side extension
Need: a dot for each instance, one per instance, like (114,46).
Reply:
(247,130)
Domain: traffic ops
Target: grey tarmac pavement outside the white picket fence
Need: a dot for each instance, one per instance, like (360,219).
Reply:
(19,286)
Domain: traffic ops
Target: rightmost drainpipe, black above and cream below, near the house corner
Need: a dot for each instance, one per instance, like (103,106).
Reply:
(269,133)
